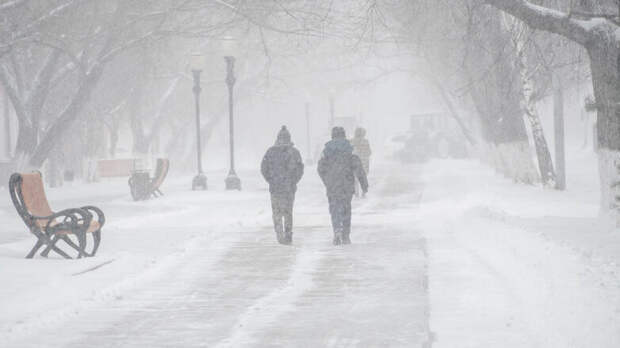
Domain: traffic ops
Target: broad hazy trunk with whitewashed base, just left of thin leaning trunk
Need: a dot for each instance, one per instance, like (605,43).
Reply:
(496,93)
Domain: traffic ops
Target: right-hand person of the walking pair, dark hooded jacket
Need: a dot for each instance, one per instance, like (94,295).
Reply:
(338,168)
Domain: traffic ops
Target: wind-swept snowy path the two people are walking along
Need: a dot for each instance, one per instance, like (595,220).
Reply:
(237,287)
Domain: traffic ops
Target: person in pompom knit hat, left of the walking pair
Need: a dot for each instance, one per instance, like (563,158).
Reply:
(282,168)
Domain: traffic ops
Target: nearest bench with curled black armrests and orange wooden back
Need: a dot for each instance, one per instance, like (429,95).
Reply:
(28,196)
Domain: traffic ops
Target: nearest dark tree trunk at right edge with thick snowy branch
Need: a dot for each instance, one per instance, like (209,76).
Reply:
(603,46)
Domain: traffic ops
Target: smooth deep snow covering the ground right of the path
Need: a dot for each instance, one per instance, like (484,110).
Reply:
(515,266)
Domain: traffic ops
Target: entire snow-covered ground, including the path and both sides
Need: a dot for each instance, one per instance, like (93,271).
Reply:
(448,250)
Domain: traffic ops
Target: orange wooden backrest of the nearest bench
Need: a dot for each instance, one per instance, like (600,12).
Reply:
(28,195)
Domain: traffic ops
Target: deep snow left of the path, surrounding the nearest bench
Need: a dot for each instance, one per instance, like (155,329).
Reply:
(141,241)
